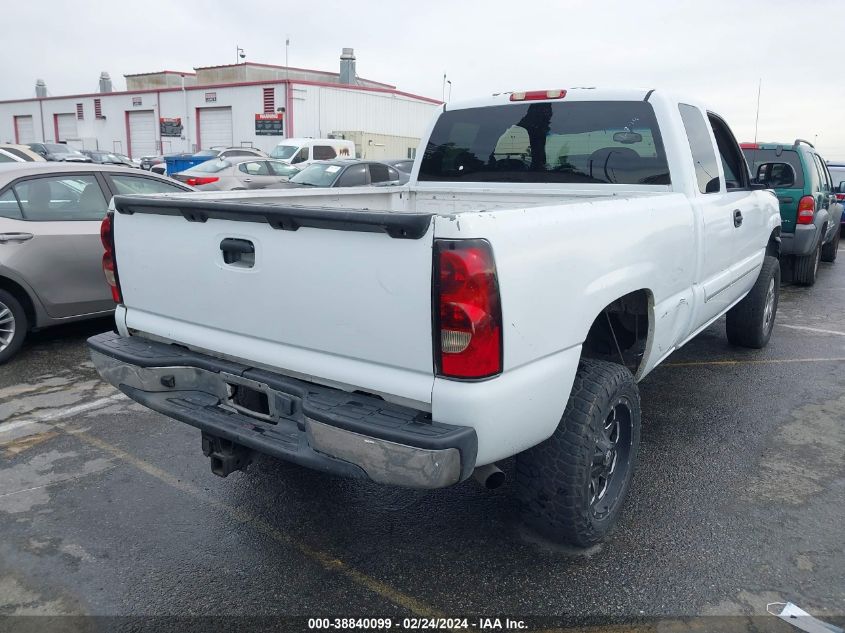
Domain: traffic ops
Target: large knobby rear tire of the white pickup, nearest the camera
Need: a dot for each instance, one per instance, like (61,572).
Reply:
(557,482)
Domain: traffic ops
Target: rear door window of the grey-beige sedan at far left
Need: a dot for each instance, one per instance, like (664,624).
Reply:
(61,199)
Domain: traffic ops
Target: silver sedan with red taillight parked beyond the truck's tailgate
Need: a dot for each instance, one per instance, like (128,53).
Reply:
(236,173)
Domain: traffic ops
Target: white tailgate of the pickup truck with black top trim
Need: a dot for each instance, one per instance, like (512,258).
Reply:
(340,296)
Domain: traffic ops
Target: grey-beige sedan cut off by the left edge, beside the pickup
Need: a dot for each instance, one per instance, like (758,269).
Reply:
(50,251)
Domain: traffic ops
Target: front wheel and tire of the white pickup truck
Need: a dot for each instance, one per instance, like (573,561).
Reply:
(750,322)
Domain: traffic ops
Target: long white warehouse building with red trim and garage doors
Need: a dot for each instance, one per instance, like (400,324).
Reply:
(243,104)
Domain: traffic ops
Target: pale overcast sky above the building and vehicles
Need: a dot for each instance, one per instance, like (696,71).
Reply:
(713,50)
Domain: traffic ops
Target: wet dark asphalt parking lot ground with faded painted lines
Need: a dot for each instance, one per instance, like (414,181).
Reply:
(739,500)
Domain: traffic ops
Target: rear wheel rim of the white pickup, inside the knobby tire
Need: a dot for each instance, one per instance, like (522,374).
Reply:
(611,459)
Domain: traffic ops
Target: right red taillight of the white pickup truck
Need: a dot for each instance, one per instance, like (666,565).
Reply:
(467,312)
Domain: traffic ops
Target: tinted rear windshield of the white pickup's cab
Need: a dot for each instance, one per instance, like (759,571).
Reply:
(560,142)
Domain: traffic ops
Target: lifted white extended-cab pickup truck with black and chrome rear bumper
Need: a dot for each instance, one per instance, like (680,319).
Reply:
(549,251)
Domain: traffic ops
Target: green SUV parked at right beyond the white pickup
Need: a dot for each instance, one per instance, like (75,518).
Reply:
(810,213)
